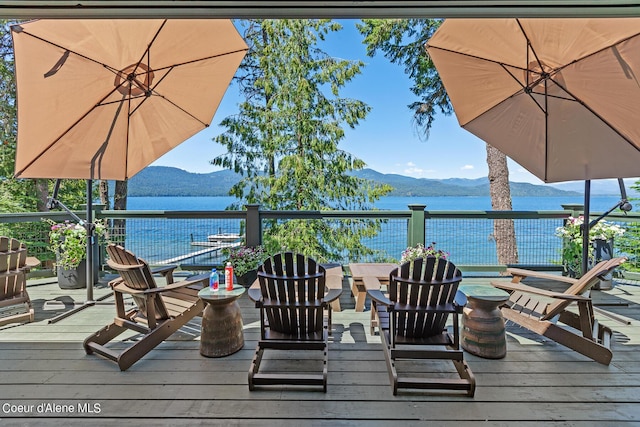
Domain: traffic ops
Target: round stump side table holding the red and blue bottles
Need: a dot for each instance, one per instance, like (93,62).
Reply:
(221,322)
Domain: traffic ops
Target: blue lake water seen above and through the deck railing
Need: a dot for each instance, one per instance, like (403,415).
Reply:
(470,240)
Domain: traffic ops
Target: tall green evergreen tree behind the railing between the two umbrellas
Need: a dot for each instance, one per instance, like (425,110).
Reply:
(285,139)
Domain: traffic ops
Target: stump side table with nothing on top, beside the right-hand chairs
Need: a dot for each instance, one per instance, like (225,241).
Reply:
(483,329)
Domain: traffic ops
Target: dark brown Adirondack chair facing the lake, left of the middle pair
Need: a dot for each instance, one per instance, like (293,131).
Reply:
(295,307)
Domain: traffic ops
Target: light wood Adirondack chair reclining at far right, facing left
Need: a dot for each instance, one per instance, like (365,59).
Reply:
(540,310)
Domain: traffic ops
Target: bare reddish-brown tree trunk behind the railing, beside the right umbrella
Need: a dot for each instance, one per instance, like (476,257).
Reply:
(503,229)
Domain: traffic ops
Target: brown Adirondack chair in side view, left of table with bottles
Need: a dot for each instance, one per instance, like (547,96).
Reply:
(159,311)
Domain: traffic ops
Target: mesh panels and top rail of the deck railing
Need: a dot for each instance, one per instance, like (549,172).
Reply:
(188,238)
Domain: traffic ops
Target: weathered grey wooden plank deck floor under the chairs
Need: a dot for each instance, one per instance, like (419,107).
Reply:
(48,380)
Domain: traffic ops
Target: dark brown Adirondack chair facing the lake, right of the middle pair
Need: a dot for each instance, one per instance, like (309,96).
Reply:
(421,296)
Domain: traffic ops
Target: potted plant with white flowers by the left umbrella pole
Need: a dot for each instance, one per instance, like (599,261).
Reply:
(68,241)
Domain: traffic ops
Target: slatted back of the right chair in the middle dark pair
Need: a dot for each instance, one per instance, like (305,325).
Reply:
(425,282)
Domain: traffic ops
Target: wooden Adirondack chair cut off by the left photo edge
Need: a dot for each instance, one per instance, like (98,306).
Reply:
(15,305)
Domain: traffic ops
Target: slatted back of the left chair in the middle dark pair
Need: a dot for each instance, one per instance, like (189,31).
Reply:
(293,287)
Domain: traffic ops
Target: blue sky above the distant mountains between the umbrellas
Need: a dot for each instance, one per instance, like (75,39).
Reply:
(386,140)
